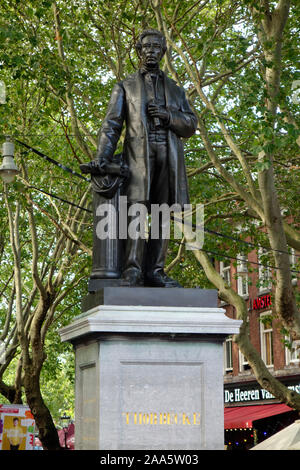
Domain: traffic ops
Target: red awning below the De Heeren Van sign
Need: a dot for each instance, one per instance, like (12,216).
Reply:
(243,416)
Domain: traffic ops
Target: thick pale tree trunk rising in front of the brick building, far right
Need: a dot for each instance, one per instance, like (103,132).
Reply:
(270,35)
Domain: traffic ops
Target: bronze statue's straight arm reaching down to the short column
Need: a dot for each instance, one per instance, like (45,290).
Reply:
(111,128)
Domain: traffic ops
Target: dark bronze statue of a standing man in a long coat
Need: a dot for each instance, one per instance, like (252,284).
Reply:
(157,115)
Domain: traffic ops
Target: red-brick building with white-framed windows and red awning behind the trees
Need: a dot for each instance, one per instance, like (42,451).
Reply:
(252,414)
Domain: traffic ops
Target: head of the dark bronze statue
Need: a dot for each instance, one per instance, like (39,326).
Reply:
(151,47)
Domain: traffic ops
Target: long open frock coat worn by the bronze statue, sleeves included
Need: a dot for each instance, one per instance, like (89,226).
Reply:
(128,104)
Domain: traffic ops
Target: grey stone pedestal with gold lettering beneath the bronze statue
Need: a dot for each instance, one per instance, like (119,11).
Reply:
(150,377)
